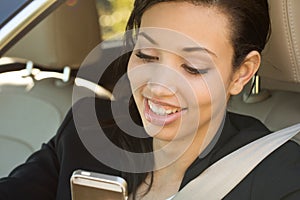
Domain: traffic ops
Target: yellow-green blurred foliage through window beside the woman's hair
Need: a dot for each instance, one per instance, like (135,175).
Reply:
(113,16)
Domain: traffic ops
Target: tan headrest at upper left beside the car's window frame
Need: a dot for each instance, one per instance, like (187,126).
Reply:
(65,37)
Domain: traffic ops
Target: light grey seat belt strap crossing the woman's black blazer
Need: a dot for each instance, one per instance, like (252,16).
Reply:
(224,175)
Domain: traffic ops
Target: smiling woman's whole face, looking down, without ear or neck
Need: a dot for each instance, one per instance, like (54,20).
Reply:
(181,69)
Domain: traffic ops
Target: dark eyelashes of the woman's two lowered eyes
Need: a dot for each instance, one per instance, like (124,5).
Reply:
(187,68)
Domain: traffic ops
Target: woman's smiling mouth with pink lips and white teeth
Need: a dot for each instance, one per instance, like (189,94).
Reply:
(161,114)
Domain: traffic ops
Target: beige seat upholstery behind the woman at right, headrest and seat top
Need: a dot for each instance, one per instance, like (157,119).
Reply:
(279,71)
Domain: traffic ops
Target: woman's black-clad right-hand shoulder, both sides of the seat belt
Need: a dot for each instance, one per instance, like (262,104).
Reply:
(277,176)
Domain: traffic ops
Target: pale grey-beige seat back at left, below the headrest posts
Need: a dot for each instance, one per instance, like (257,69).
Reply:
(30,115)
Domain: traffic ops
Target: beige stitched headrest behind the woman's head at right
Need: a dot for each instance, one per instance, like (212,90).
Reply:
(281,58)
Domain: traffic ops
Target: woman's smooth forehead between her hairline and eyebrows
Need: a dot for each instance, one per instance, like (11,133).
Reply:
(204,25)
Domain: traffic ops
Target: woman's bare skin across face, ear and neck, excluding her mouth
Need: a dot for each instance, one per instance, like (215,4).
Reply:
(194,94)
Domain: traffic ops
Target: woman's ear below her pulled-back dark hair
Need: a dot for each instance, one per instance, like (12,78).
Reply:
(245,72)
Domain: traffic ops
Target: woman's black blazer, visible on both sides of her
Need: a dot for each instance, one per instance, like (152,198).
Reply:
(46,173)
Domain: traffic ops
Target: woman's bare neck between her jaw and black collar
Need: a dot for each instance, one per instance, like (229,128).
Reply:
(178,154)
